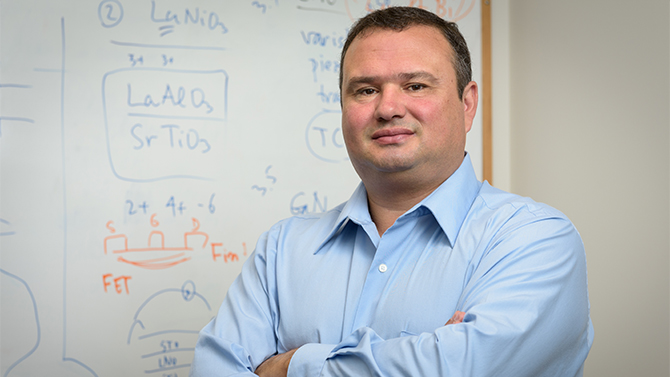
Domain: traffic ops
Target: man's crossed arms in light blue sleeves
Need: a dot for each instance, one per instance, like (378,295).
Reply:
(526,315)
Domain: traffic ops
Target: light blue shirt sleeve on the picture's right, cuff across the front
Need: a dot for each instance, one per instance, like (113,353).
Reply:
(527,314)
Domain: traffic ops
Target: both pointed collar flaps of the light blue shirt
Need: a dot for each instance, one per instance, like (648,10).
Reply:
(449,204)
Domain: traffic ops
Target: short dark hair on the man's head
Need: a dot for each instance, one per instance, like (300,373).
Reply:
(399,19)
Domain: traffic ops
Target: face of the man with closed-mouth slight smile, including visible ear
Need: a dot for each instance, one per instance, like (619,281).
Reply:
(400,106)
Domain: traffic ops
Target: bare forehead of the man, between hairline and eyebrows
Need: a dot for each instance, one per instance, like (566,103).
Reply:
(384,48)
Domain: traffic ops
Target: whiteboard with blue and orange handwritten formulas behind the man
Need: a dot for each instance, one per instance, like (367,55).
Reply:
(145,147)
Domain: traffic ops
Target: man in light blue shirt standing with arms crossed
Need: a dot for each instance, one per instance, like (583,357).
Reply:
(369,287)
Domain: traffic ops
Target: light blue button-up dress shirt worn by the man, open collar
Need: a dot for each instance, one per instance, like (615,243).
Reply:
(358,304)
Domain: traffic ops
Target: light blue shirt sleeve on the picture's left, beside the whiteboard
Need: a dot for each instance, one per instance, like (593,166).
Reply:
(243,334)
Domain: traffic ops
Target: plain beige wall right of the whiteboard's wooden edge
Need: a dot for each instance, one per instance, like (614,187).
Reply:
(589,134)
